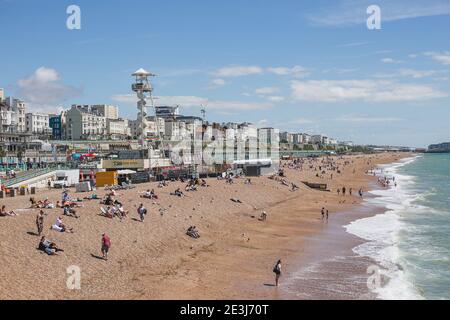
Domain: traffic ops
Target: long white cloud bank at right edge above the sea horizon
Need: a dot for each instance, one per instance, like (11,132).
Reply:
(365,90)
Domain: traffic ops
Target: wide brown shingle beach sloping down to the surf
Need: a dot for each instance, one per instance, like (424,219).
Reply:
(233,258)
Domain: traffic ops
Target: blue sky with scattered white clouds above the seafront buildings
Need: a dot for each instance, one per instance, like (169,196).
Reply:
(302,66)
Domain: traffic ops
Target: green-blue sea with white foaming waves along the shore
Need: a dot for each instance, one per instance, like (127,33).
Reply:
(410,242)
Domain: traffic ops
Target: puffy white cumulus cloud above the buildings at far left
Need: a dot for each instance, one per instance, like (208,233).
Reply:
(43,90)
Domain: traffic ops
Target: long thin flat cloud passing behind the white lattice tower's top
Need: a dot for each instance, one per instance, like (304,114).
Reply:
(194,101)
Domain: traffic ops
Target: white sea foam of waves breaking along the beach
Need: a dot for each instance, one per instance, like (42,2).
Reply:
(382,233)
